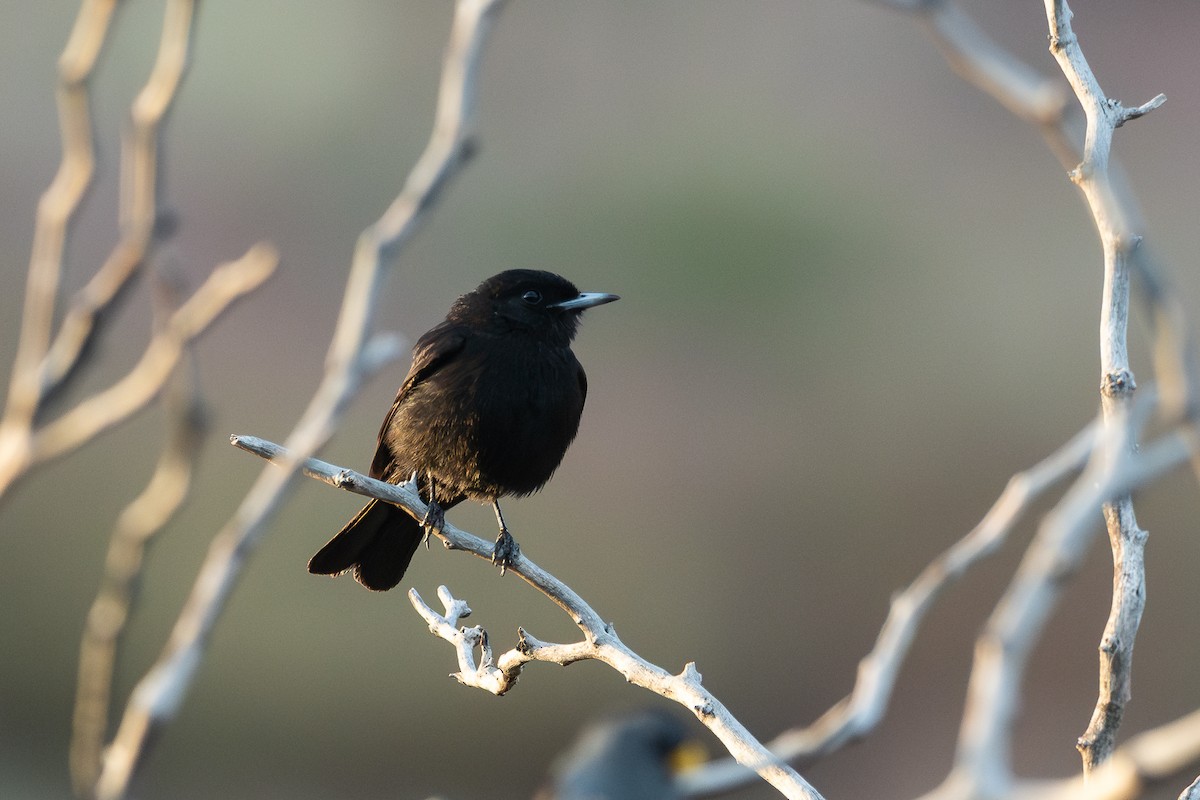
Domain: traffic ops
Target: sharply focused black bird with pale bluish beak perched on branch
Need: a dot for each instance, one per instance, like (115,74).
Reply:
(488,411)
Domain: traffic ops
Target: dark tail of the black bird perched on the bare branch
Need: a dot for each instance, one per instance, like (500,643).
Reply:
(379,544)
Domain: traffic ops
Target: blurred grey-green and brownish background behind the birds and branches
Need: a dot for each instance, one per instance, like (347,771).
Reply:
(857,296)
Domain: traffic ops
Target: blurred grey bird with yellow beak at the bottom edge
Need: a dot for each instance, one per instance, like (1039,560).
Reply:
(632,757)
